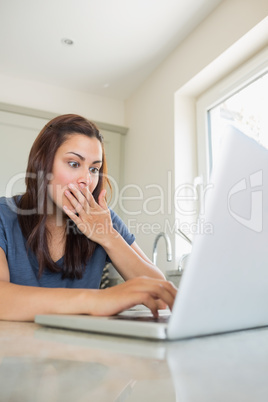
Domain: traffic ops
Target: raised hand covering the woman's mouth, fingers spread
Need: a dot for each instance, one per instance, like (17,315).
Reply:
(93,219)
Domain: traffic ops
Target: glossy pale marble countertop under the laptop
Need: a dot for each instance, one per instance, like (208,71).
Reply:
(39,364)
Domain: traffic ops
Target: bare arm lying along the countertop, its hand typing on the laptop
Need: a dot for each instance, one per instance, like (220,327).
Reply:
(22,303)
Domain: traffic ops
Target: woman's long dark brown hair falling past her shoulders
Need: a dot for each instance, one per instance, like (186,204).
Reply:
(33,203)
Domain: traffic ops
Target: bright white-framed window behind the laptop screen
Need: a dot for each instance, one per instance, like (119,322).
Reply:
(241,100)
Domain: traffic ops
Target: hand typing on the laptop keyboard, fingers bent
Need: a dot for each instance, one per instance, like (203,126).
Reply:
(153,293)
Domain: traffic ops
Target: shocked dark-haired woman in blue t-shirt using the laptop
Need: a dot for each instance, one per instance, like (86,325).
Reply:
(56,238)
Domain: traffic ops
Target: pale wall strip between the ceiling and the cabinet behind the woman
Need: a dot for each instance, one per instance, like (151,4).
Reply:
(49,98)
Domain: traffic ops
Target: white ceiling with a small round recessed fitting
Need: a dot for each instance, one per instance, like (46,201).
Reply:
(117,44)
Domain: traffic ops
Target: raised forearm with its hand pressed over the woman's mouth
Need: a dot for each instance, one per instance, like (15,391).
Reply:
(94,221)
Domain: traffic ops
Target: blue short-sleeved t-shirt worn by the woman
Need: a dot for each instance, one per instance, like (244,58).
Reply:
(23,264)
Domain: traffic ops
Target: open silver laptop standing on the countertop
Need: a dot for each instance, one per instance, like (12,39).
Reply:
(225,284)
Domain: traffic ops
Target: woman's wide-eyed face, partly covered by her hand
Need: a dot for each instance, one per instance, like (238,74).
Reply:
(77,161)
